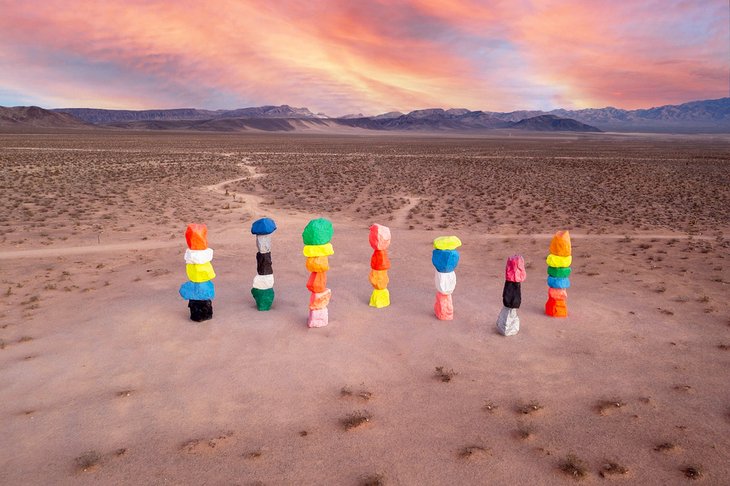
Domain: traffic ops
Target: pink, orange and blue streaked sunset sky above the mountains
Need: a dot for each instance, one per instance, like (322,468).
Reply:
(340,57)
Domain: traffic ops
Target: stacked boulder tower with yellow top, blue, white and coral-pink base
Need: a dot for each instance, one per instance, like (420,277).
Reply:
(445,258)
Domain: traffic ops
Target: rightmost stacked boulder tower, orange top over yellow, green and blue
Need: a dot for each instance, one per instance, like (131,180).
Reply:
(558,261)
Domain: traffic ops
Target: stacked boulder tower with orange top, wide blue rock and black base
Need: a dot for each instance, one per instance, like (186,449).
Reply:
(199,291)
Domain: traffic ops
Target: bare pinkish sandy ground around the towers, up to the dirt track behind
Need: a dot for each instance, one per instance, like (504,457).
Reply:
(105,380)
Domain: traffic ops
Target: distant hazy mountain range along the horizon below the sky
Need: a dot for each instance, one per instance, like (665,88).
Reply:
(696,116)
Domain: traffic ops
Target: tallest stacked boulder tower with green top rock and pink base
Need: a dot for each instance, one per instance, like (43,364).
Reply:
(317,237)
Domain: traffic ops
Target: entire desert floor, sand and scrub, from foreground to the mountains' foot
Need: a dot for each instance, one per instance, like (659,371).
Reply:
(104,379)
